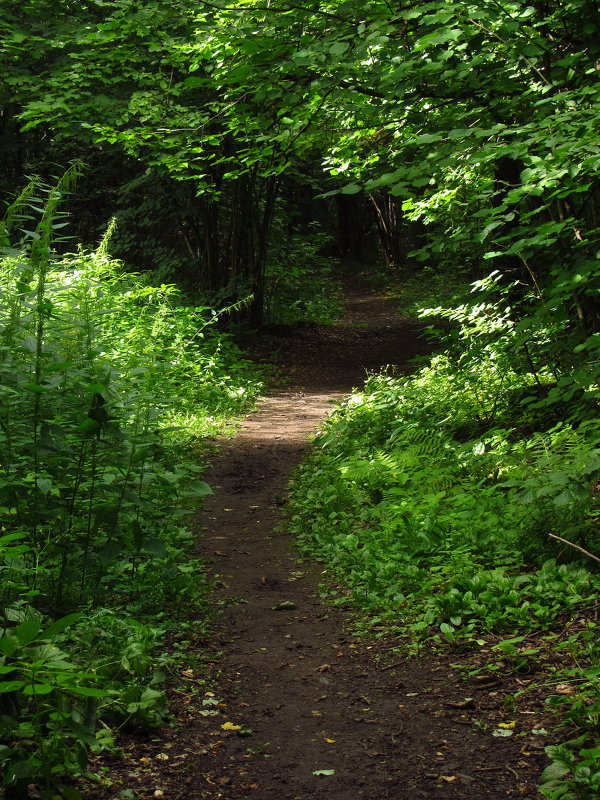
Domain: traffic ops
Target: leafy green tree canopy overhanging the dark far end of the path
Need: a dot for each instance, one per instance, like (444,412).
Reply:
(471,128)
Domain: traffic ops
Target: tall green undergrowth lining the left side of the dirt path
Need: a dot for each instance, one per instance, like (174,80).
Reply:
(104,378)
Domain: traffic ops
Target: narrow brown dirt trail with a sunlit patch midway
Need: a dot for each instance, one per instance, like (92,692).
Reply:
(308,695)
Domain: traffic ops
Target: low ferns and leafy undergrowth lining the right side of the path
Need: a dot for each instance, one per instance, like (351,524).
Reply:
(460,507)
